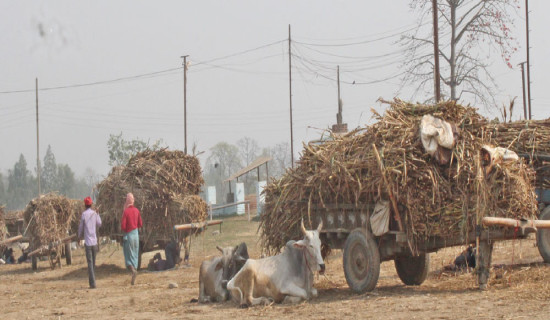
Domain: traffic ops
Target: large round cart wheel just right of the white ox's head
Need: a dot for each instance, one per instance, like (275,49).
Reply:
(361,261)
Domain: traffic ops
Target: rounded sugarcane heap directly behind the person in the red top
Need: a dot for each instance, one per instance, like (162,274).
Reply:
(160,181)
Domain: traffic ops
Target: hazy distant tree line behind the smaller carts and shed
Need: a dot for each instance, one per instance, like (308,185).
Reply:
(20,185)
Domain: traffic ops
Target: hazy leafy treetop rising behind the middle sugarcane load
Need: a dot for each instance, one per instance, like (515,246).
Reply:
(121,150)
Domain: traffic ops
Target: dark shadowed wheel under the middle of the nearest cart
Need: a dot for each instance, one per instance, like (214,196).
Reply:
(413,270)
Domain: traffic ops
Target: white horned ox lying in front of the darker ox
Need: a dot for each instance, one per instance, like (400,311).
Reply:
(286,277)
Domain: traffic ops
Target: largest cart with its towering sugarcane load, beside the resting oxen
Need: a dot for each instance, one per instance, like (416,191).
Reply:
(421,178)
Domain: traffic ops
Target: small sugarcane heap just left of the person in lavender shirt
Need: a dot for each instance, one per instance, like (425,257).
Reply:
(49,219)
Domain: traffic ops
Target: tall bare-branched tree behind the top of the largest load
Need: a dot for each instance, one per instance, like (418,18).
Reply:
(470,32)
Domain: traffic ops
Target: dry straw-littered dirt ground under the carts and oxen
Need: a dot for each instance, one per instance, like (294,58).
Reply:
(519,288)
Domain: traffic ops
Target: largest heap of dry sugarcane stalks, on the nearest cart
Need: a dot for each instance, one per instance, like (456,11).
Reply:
(433,199)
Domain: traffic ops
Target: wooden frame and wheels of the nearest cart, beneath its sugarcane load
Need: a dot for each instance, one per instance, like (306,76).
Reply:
(348,227)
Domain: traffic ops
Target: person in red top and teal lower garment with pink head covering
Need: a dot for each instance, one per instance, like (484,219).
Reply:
(131,221)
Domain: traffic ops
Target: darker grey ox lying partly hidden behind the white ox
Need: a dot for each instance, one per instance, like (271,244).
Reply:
(214,273)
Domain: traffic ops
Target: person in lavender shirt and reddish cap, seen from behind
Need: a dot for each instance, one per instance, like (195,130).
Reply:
(89,222)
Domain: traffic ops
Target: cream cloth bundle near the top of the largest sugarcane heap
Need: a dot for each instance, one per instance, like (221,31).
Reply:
(438,138)
